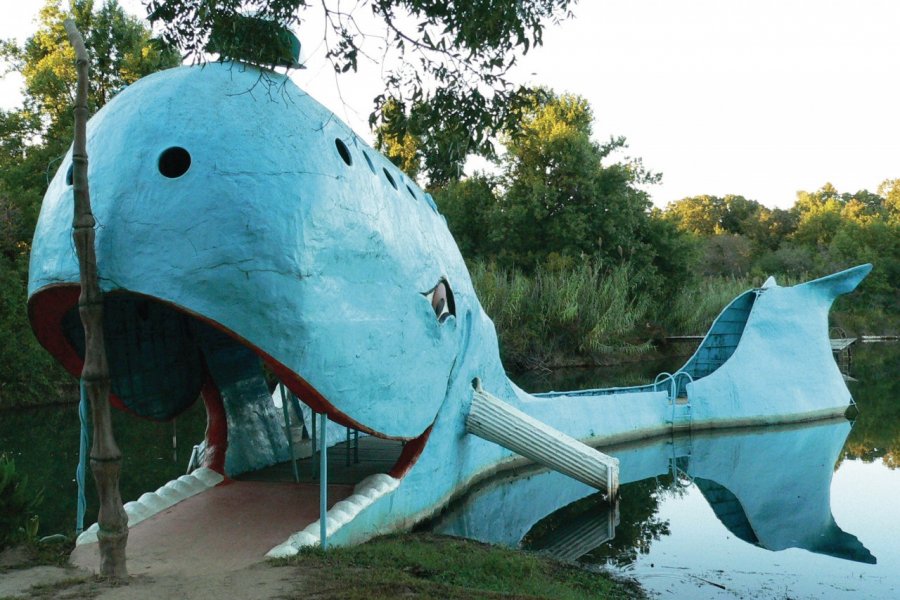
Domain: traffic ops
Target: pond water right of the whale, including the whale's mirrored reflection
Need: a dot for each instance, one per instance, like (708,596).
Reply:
(803,511)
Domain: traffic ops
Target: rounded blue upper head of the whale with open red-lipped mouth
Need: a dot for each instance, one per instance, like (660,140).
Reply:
(227,198)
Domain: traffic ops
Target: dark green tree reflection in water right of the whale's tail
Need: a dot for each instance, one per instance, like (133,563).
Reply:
(876,433)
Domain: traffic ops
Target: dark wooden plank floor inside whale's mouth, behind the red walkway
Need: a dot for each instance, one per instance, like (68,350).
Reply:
(375,455)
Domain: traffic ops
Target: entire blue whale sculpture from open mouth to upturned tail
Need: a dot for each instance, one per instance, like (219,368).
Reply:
(240,222)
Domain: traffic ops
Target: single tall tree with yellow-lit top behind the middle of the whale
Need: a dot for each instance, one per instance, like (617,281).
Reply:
(560,196)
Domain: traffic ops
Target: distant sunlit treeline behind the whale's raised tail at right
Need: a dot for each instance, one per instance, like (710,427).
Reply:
(824,231)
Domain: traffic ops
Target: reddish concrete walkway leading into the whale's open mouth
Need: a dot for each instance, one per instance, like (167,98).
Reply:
(225,528)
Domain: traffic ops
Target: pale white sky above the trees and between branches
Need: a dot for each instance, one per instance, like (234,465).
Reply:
(761,98)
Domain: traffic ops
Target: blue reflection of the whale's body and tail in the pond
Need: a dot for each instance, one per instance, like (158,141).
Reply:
(769,487)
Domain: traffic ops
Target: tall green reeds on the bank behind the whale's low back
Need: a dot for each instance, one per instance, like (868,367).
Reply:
(584,315)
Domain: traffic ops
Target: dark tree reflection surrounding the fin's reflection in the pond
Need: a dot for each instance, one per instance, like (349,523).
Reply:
(638,524)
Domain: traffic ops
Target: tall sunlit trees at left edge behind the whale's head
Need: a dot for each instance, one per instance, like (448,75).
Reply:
(33,139)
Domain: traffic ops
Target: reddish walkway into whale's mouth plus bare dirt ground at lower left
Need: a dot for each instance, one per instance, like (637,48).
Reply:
(211,546)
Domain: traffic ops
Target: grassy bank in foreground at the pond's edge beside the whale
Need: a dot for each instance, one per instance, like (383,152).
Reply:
(429,566)
